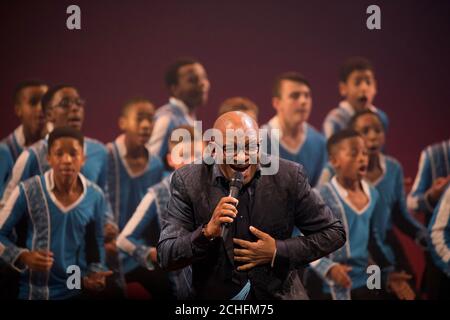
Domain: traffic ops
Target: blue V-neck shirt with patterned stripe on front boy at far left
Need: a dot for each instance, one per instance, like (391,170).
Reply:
(74,234)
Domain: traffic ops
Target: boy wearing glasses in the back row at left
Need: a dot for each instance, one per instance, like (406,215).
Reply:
(64,107)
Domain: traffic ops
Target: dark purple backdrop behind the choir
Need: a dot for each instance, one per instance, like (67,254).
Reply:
(124,47)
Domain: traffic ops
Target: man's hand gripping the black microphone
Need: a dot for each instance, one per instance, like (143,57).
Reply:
(224,212)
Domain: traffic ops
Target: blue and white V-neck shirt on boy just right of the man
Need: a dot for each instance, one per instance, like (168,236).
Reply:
(360,228)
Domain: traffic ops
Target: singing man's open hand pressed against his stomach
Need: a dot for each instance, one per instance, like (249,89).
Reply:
(255,253)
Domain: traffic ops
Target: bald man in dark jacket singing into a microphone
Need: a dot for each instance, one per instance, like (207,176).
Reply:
(256,258)
